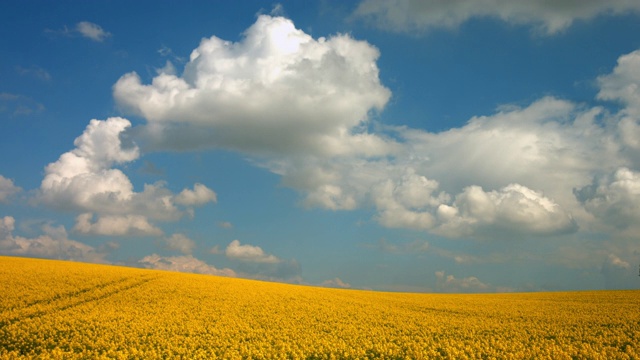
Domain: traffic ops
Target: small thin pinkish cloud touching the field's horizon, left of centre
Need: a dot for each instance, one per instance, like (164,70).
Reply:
(184,264)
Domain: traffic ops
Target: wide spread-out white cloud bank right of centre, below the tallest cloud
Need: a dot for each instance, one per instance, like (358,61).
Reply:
(513,171)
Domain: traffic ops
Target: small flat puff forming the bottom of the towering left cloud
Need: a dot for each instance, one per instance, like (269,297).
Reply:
(116,225)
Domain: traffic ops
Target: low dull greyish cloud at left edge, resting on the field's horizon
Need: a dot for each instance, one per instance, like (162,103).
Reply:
(54,243)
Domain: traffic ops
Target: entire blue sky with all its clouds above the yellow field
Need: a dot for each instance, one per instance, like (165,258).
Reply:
(392,145)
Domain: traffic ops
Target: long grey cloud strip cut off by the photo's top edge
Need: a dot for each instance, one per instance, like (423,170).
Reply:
(547,17)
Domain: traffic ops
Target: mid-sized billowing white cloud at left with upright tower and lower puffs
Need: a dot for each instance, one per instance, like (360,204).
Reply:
(85,179)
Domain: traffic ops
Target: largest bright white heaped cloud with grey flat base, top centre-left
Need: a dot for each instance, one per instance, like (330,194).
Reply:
(277,90)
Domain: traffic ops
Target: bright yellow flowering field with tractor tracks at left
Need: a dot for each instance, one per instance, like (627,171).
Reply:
(62,310)
